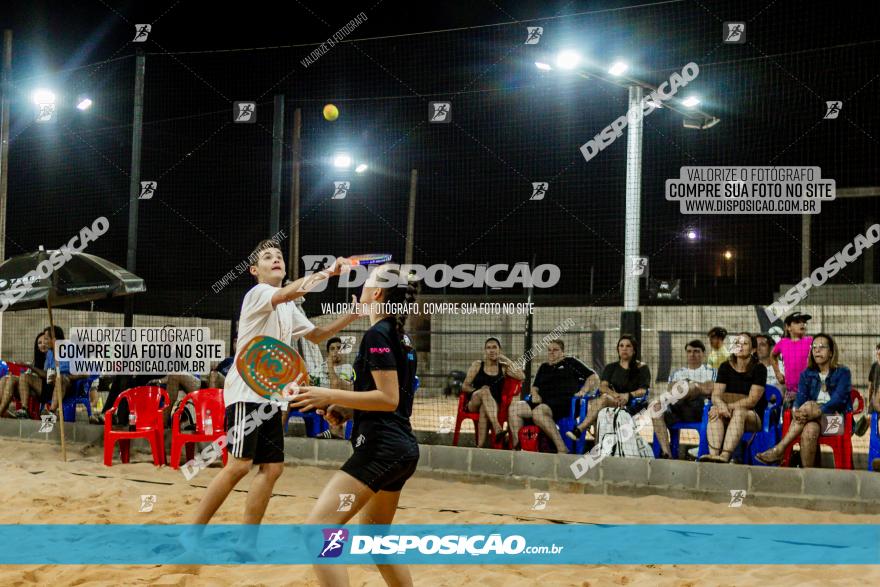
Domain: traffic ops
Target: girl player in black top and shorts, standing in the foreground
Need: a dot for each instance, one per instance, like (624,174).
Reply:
(385,449)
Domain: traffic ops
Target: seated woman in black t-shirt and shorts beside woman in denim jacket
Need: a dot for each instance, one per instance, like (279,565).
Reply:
(738,400)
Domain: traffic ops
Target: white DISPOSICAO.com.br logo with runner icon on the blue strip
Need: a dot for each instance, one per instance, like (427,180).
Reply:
(450,544)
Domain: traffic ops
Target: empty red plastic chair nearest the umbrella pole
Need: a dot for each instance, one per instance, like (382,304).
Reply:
(146,403)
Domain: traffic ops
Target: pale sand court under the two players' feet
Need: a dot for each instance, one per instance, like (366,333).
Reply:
(43,490)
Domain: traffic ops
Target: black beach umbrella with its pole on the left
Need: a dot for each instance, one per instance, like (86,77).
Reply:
(60,278)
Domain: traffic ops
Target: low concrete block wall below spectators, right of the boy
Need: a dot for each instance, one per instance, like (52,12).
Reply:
(847,491)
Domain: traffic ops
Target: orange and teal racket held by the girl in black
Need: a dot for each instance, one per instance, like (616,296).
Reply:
(268,366)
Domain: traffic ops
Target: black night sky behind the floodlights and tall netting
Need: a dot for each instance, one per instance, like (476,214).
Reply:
(512,125)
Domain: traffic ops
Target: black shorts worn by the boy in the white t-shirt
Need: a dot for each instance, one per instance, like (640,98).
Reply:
(255,432)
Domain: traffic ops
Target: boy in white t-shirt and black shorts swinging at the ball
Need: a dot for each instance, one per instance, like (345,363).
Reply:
(254,427)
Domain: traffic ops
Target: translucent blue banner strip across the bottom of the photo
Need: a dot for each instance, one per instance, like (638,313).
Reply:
(568,544)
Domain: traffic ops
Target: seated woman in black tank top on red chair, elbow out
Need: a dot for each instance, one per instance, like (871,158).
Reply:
(484,384)
